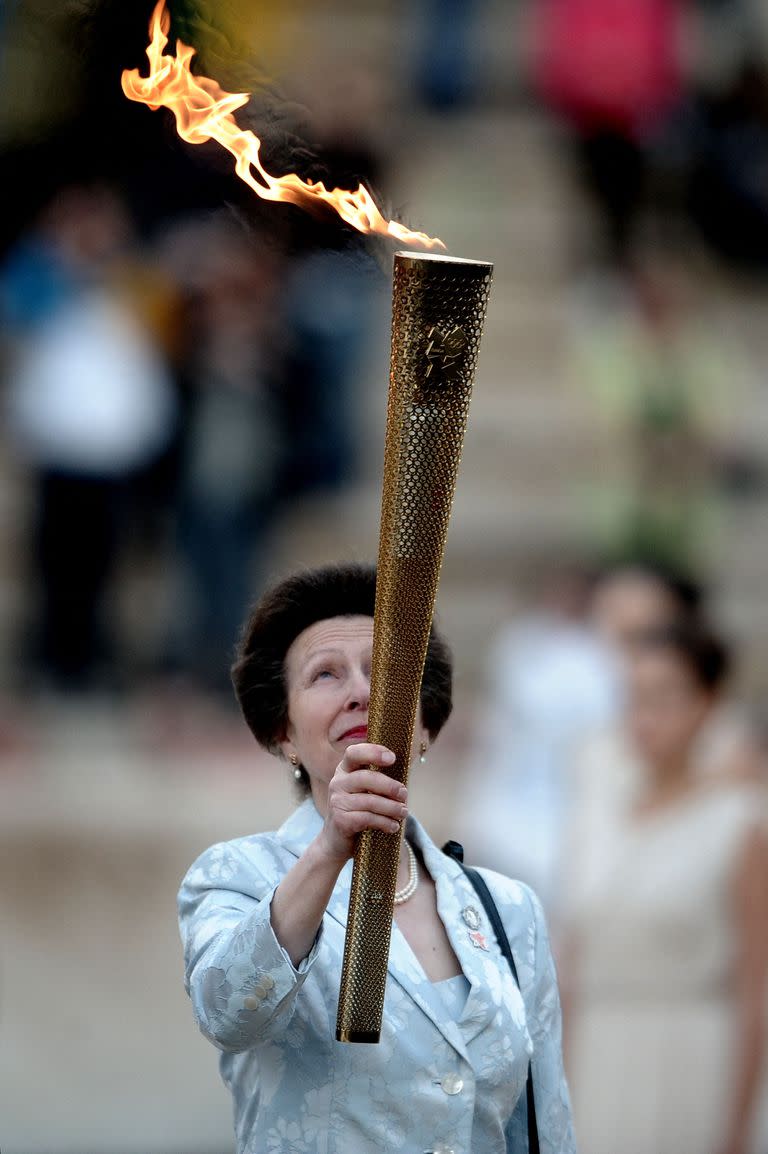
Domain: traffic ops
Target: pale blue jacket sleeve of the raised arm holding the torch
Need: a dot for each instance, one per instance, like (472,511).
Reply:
(243,984)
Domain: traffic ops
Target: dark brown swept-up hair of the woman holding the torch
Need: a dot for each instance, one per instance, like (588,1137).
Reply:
(292,606)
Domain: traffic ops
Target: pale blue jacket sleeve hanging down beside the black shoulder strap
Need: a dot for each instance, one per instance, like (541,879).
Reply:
(539,987)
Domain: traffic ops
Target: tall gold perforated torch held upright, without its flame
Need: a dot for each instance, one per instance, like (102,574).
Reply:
(439,309)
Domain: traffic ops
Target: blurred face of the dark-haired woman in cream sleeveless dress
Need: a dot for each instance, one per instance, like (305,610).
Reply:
(667,708)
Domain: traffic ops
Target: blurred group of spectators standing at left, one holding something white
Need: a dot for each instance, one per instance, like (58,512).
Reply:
(168,396)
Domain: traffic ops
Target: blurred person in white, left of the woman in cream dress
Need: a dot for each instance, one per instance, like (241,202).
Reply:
(549,683)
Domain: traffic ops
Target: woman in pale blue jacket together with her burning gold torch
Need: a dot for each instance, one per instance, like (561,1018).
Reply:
(263,918)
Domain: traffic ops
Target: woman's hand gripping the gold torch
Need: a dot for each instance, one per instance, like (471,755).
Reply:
(362,799)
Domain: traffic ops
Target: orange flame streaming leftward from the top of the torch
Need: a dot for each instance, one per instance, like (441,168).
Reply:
(205,111)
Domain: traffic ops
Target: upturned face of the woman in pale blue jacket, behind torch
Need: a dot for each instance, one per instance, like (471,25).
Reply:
(328,675)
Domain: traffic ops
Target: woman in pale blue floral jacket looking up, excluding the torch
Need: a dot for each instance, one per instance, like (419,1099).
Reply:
(263,924)
